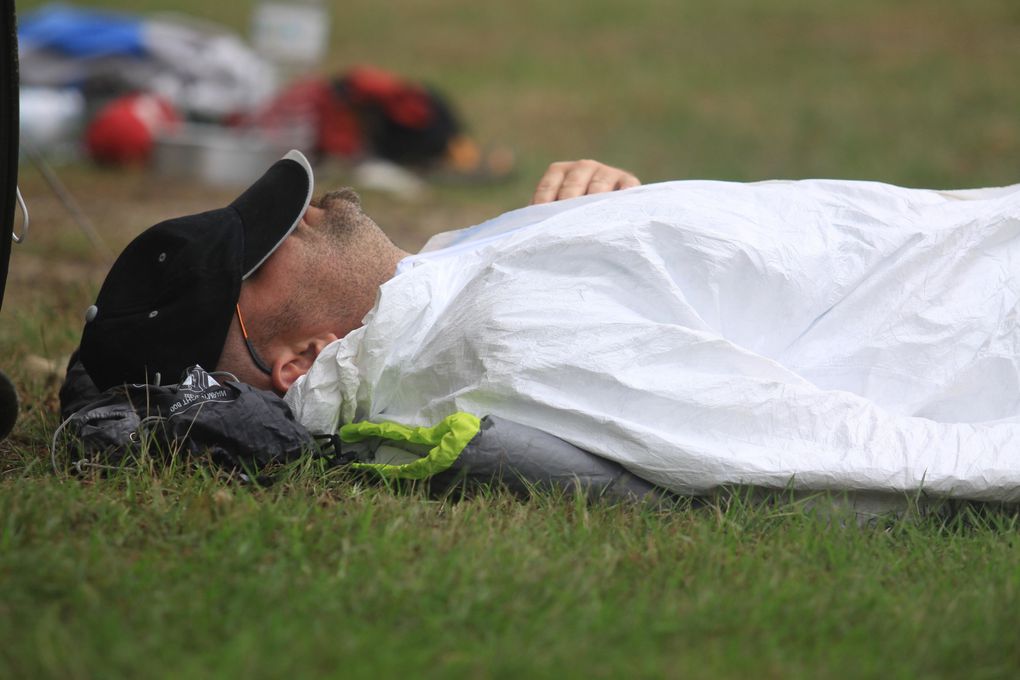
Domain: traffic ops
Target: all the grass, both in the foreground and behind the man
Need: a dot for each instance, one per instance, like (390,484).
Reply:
(177,572)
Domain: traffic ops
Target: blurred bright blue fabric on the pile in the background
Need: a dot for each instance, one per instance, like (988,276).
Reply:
(82,33)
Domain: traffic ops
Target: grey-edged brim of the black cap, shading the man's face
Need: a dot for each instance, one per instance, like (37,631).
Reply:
(272,208)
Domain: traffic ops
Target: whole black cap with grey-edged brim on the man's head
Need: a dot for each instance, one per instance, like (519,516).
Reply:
(167,303)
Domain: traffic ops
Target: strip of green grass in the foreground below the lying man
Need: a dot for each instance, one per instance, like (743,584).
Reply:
(172,574)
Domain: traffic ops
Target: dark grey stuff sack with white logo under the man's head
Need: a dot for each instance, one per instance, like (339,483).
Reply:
(237,426)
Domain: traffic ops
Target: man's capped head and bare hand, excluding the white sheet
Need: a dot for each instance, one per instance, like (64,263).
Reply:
(260,288)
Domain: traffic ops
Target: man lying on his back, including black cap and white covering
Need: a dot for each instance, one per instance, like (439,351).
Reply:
(821,335)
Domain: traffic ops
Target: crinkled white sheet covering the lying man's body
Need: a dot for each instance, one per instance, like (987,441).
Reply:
(819,335)
